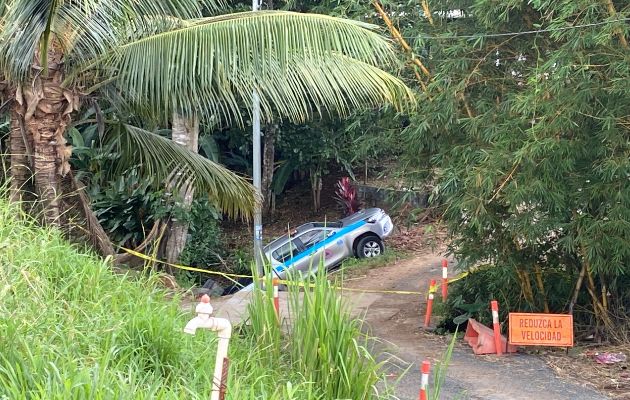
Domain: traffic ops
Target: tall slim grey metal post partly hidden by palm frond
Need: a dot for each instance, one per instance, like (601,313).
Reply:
(258,256)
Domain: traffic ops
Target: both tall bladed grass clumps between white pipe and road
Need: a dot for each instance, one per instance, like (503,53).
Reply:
(321,342)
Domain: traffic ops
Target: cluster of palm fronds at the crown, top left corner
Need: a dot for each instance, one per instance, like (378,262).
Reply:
(91,26)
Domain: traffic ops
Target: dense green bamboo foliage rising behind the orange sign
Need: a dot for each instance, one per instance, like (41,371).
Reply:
(528,136)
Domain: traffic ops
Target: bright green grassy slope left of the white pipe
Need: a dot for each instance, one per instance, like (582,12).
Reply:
(72,329)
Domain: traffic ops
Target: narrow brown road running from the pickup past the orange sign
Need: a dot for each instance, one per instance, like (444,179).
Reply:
(395,319)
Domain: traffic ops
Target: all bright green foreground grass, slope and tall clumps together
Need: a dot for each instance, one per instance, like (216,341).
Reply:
(71,329)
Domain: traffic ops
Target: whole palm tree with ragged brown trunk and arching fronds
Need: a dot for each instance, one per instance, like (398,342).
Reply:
(160,58)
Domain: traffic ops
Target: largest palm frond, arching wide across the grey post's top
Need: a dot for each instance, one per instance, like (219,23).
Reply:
(213,65)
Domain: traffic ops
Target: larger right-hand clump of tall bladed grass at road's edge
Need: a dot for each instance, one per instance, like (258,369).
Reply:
(328,346)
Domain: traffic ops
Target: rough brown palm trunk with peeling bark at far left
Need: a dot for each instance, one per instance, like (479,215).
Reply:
(45,108)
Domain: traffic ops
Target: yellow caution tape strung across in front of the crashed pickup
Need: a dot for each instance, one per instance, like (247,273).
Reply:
(231,277)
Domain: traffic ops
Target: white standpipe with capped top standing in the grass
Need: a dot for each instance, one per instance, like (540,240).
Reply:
(223,328)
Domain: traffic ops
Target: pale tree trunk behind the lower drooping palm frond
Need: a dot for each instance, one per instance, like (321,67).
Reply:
(185,132)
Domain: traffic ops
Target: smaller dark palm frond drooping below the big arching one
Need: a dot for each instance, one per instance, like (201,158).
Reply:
(157,157)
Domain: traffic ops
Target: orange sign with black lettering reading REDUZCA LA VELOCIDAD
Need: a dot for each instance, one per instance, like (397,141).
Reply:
(541,329)
